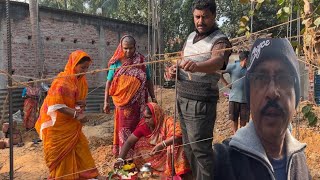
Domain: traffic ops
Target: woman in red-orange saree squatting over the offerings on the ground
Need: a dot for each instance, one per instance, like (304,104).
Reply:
(154,135)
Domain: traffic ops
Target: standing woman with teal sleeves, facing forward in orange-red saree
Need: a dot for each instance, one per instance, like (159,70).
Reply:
(129,89)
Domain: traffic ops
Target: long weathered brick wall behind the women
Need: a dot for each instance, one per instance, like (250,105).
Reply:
(61,33)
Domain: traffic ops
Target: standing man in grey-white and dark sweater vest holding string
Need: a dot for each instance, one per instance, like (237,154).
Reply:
(205,52)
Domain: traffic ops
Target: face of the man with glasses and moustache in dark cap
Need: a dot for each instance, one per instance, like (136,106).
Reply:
(272,98)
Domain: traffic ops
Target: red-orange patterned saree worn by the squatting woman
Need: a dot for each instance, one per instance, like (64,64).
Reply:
(164,128)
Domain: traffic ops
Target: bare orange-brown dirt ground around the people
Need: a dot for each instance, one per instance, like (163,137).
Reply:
(29,162)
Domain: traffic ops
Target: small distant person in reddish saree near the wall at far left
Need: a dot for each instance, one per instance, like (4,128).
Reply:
(31,95)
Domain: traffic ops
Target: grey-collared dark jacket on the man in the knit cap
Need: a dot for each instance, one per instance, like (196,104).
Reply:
(244,158)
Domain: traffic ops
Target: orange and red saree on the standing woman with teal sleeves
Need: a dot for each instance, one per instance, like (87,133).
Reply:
(129,93)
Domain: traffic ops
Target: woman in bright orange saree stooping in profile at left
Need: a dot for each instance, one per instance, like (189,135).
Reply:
(66,148)
